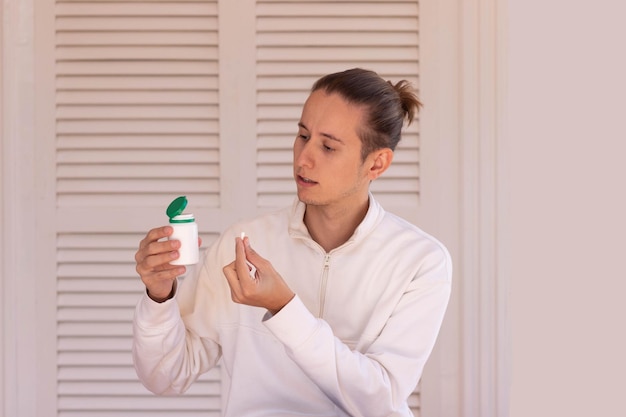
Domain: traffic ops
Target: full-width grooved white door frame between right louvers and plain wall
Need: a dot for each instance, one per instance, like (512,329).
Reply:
(463,80)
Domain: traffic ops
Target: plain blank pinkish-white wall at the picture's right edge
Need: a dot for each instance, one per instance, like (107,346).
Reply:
(565,215)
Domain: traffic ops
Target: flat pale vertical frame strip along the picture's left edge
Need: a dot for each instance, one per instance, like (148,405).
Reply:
(18,269)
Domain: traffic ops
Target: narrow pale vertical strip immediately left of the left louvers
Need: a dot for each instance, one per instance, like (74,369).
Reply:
(46,219)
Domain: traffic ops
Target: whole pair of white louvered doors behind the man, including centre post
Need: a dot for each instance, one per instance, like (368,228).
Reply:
(143,114)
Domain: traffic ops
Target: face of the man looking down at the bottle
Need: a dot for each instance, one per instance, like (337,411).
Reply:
(327,164)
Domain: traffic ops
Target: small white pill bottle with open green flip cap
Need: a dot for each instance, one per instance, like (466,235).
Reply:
(185,230)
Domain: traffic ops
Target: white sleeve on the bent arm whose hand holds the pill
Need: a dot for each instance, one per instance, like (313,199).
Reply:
(379,380)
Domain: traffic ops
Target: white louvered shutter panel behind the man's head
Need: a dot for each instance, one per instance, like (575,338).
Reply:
(298,42)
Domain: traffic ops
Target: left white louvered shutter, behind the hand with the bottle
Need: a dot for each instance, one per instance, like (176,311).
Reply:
(136,125)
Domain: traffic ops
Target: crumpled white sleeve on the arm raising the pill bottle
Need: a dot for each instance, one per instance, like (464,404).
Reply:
(168,354)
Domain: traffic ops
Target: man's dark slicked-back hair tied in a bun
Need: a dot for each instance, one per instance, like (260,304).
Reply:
(386,105)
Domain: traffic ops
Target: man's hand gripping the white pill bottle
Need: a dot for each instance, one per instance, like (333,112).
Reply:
(153,263)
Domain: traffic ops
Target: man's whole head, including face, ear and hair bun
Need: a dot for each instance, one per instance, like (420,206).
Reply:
(349,126)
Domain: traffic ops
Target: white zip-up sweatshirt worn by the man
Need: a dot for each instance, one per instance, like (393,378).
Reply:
(352,342)
